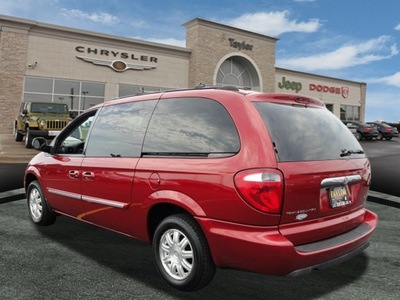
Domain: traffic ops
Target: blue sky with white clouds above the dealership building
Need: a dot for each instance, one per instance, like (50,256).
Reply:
(356,40)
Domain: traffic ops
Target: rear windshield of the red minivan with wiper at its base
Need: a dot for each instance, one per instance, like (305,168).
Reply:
(303,133)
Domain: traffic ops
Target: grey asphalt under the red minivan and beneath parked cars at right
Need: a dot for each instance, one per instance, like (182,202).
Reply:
(73,260)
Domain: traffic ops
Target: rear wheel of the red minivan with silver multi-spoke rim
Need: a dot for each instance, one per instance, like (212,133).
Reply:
(181,253)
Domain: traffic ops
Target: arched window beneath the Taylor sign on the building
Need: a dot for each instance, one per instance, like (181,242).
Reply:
(238,71)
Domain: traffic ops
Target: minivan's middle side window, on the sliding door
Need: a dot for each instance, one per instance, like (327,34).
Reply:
(119,130)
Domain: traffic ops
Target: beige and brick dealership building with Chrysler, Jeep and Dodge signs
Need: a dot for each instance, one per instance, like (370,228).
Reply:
(43,62)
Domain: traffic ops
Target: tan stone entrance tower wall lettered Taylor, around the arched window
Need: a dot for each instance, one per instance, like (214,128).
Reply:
(212,43)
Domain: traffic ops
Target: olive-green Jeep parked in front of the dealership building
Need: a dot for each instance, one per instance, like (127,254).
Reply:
(40,119)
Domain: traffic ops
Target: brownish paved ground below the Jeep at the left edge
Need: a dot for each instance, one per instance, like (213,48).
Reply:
(14,152)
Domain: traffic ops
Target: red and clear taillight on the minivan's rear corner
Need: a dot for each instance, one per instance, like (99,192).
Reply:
(261,189)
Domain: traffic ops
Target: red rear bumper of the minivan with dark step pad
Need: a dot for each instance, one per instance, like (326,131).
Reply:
(265,250)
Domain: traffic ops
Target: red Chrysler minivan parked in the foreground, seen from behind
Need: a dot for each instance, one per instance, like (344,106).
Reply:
(212,177)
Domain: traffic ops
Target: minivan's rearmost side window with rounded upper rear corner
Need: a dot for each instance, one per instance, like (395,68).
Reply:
(191,126)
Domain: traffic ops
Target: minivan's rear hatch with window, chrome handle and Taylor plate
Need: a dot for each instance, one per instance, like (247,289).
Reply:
(326,173)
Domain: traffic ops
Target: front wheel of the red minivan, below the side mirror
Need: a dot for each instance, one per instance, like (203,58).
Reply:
(39,211)
